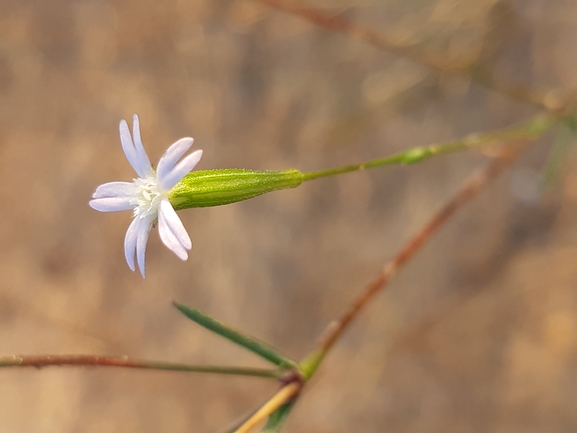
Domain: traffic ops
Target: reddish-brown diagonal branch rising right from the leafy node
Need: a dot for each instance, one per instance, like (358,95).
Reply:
(471,188)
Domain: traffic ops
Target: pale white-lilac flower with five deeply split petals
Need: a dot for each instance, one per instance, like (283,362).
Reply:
(147,195)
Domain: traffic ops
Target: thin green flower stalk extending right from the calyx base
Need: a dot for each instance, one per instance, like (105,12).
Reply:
(530,129)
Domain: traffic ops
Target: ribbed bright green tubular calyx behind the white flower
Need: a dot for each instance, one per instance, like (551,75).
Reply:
(206,188)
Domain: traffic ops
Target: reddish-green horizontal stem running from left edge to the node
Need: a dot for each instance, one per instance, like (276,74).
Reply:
(40,361)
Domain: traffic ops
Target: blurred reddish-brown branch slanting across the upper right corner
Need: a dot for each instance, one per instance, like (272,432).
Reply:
(437,62)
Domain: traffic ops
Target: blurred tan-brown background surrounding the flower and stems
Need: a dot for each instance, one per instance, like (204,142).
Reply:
(479,332)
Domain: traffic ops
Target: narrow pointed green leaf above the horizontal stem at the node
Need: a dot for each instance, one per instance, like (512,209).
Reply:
(247,341)
